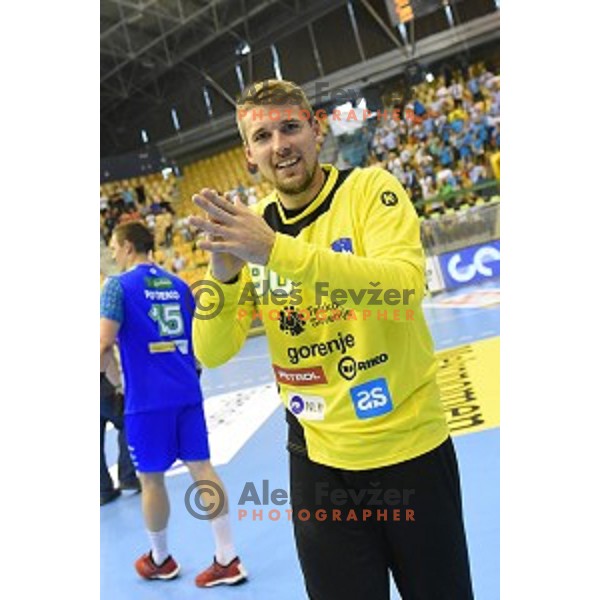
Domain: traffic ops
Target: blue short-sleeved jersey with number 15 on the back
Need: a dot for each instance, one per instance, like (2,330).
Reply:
(155,310)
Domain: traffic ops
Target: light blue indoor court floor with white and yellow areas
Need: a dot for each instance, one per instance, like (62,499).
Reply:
(248,431)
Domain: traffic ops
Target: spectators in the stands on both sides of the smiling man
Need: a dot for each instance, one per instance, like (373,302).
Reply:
(447,141)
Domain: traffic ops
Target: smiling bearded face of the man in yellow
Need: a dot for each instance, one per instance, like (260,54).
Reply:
(283,143)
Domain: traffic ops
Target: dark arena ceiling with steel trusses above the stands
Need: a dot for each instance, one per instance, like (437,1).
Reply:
(156,55)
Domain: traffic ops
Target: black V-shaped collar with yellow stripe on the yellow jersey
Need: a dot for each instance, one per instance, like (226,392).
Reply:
(292,224)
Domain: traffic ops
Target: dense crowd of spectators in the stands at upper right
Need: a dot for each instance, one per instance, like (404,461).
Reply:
(449,132)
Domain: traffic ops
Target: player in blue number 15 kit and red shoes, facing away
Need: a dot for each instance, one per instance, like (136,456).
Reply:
(148,312)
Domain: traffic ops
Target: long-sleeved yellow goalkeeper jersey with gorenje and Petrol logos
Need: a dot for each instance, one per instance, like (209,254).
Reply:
(340,299)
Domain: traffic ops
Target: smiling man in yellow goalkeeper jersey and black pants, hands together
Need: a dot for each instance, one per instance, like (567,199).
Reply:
(339,271)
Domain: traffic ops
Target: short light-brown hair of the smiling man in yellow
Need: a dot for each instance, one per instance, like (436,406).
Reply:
(269,92)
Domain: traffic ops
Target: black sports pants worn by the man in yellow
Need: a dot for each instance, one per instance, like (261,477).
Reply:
(347,559)
